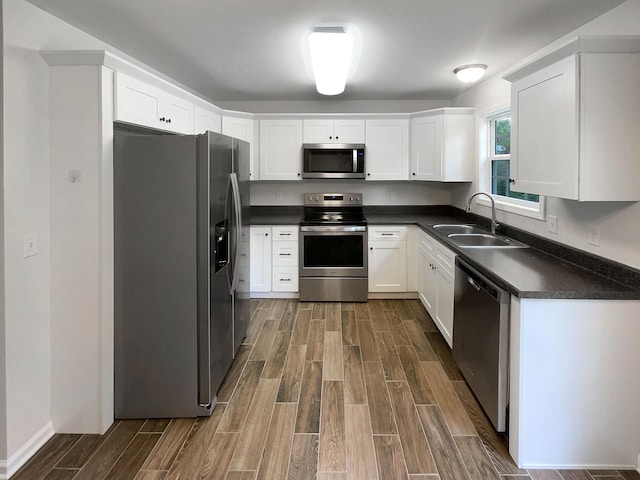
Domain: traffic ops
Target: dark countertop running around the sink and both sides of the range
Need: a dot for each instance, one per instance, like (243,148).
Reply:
(544,270)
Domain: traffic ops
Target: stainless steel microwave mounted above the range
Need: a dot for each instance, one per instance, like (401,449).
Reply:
(333,160)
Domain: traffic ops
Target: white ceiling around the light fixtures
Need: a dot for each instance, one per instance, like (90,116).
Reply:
(252,50)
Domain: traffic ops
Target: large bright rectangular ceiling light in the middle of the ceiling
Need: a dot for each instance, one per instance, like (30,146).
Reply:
(330,49)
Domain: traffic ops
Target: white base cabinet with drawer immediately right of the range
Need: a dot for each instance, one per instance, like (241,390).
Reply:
(387,259)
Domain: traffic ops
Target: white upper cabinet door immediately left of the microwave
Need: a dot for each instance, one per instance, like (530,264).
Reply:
(280,149)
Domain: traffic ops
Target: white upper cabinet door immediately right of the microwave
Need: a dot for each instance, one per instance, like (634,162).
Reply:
(387,151)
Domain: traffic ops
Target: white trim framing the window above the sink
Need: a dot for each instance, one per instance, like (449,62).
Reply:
(511,205)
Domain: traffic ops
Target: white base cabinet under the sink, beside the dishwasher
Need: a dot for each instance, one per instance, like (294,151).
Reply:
(436,283)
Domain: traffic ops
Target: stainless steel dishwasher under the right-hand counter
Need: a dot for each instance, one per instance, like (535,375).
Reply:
(481,340)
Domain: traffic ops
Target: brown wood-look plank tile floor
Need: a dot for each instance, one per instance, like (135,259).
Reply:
(324,391)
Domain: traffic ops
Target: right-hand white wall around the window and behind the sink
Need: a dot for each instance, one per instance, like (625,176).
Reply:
(618,221)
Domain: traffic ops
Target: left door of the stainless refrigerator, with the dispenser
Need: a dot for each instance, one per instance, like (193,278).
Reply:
(215,308)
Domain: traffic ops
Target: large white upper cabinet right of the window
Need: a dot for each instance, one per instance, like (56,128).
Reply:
(574,120)
